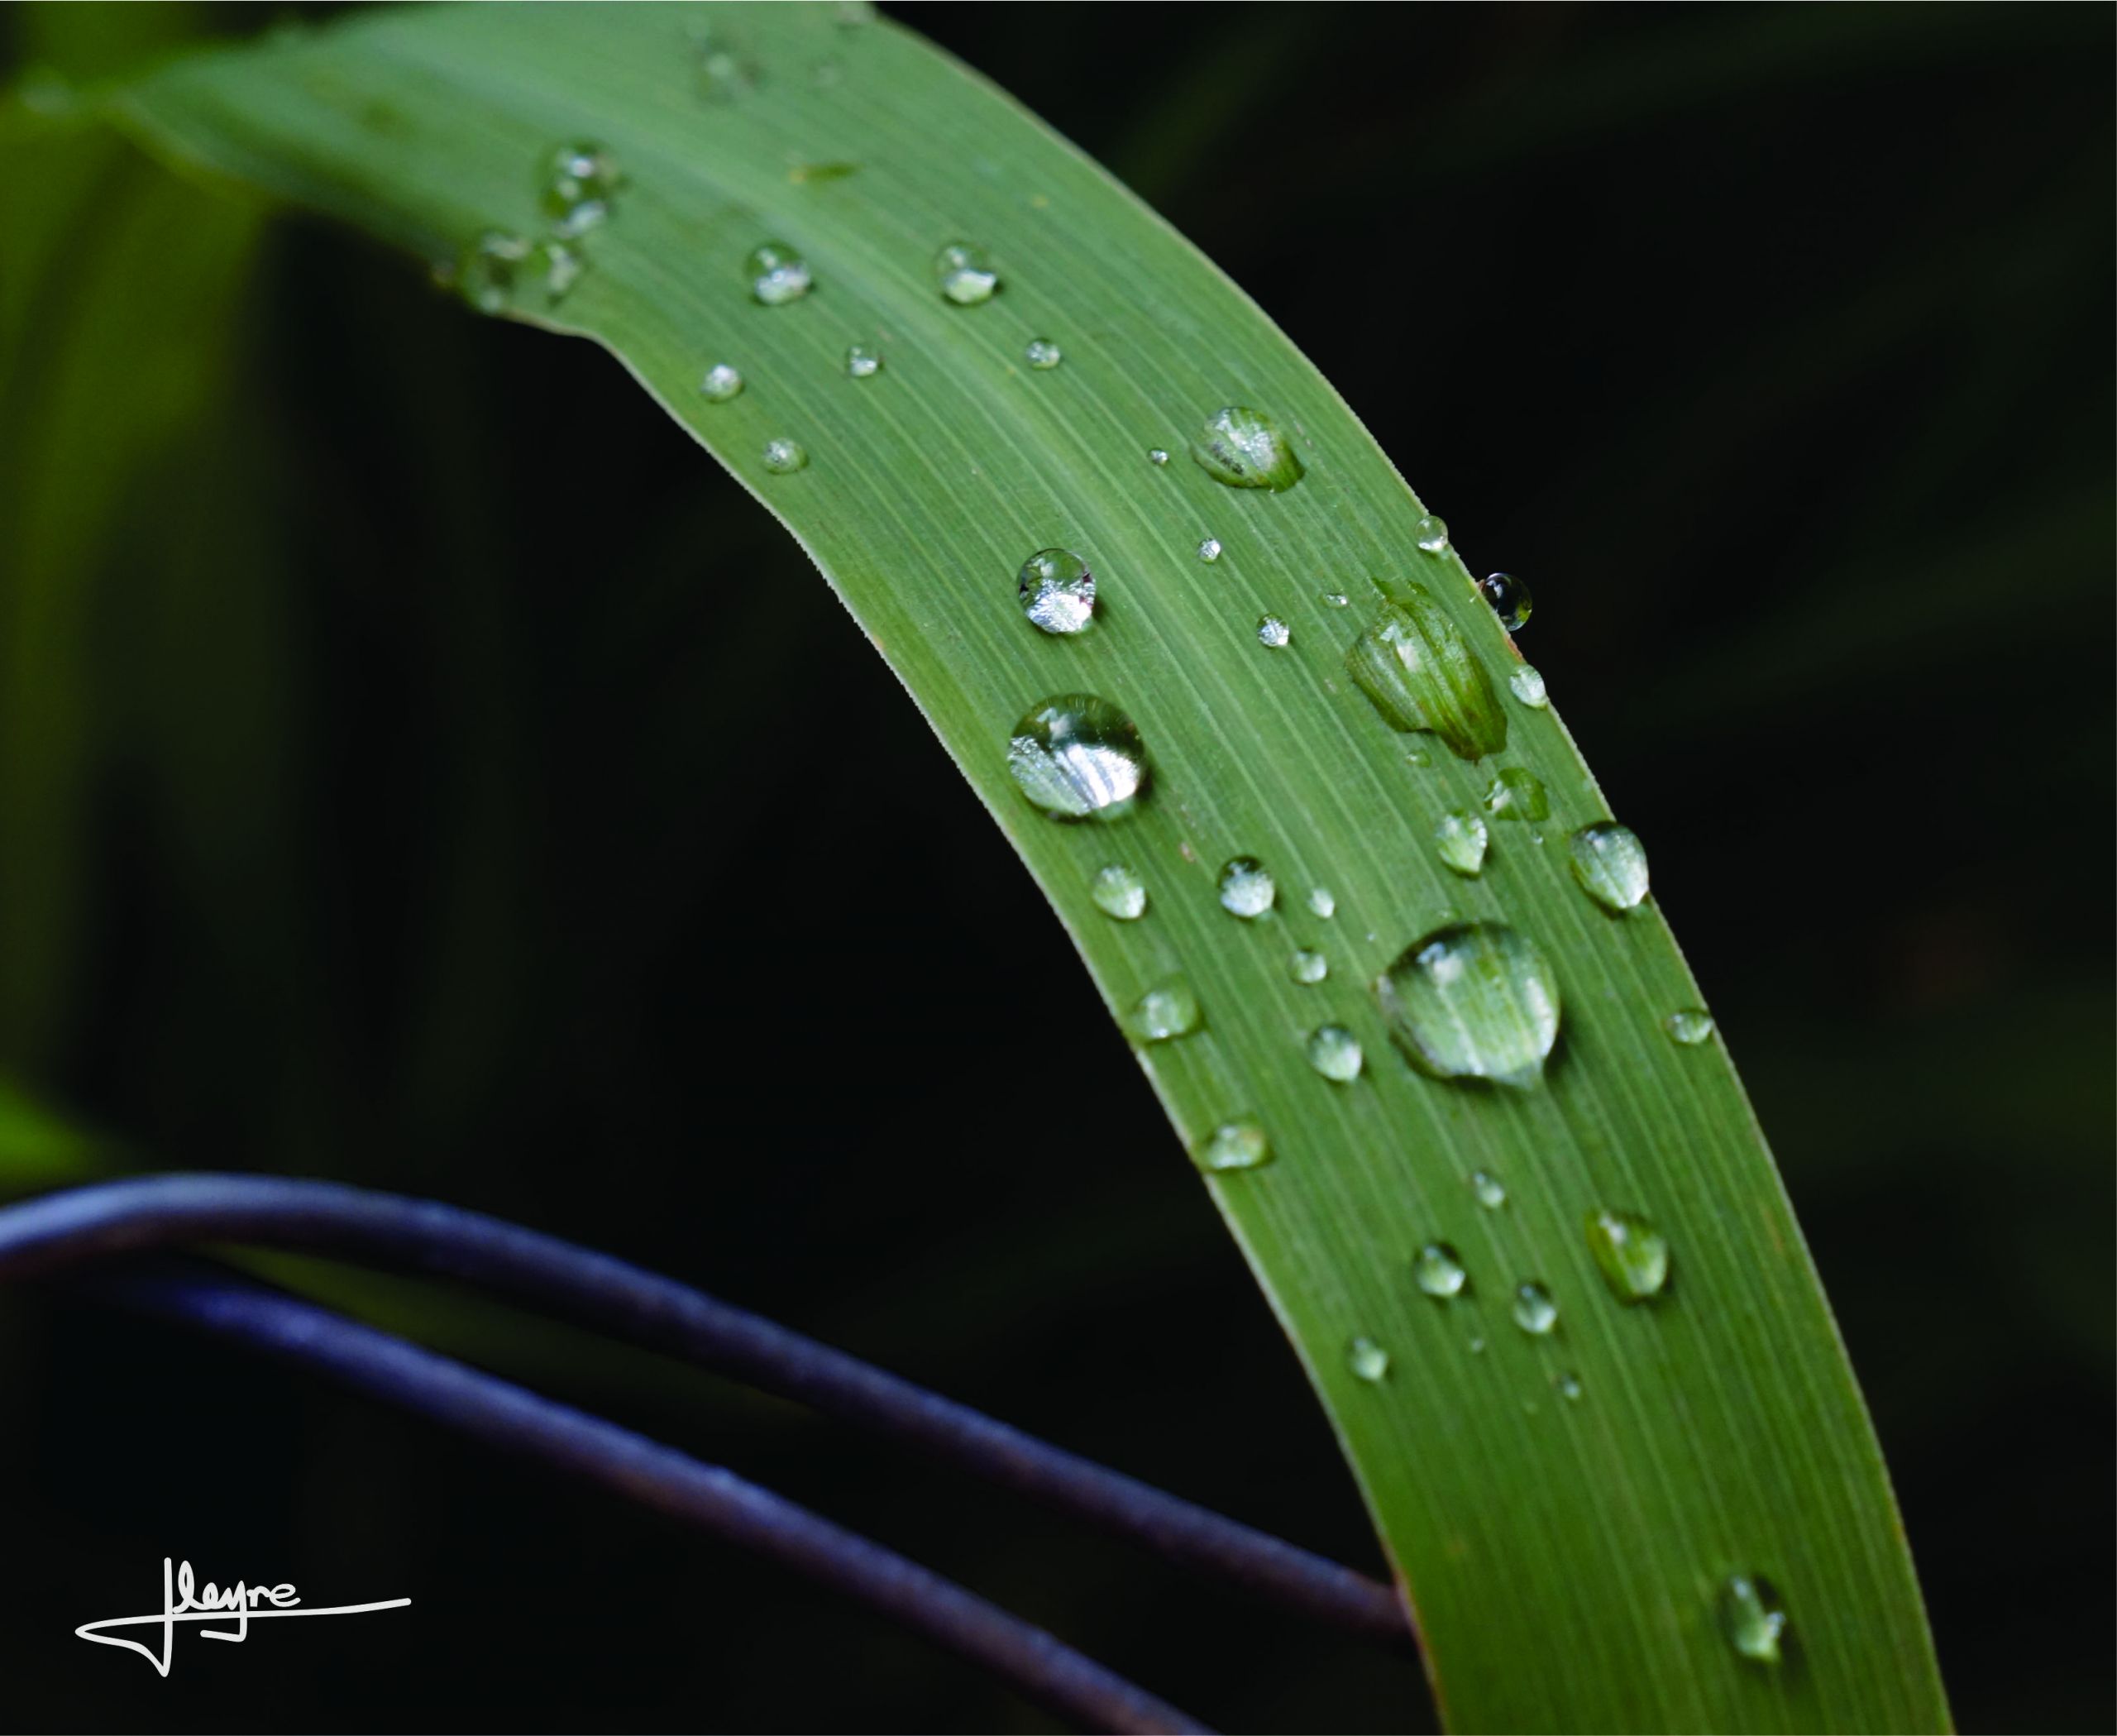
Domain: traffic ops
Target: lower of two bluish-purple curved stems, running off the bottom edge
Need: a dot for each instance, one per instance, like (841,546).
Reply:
(653,1475)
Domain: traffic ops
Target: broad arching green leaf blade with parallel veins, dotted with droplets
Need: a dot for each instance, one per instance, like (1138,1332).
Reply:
(1568,1557)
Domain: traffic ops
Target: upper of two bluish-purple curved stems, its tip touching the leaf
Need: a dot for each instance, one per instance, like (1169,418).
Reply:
(655,1312)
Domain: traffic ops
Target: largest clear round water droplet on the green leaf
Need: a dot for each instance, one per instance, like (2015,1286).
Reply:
(1474,1000)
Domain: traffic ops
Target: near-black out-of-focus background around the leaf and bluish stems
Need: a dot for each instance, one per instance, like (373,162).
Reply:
(439,842)
